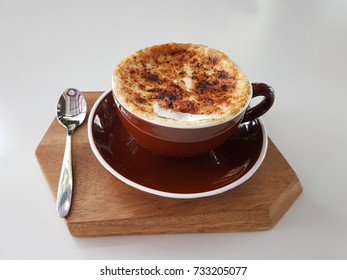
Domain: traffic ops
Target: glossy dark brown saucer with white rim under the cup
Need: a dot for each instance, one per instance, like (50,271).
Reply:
(214,172)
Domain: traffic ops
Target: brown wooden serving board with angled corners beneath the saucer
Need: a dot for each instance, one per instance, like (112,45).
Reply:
(103,205)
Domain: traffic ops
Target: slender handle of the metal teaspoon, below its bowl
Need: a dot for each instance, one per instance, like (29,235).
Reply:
(64,194)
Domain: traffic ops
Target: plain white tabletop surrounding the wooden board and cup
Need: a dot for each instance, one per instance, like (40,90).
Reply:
(298,47)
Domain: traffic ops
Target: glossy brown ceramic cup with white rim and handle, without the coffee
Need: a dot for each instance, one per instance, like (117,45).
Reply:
(187,141)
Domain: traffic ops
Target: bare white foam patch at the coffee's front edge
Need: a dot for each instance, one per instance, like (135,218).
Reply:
(179,116)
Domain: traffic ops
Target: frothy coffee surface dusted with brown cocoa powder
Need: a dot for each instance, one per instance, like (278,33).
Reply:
(181,85)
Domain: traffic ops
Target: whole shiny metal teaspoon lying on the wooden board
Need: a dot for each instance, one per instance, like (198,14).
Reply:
(71,112)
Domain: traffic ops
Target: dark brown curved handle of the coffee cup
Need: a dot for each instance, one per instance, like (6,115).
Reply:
(260,89)
